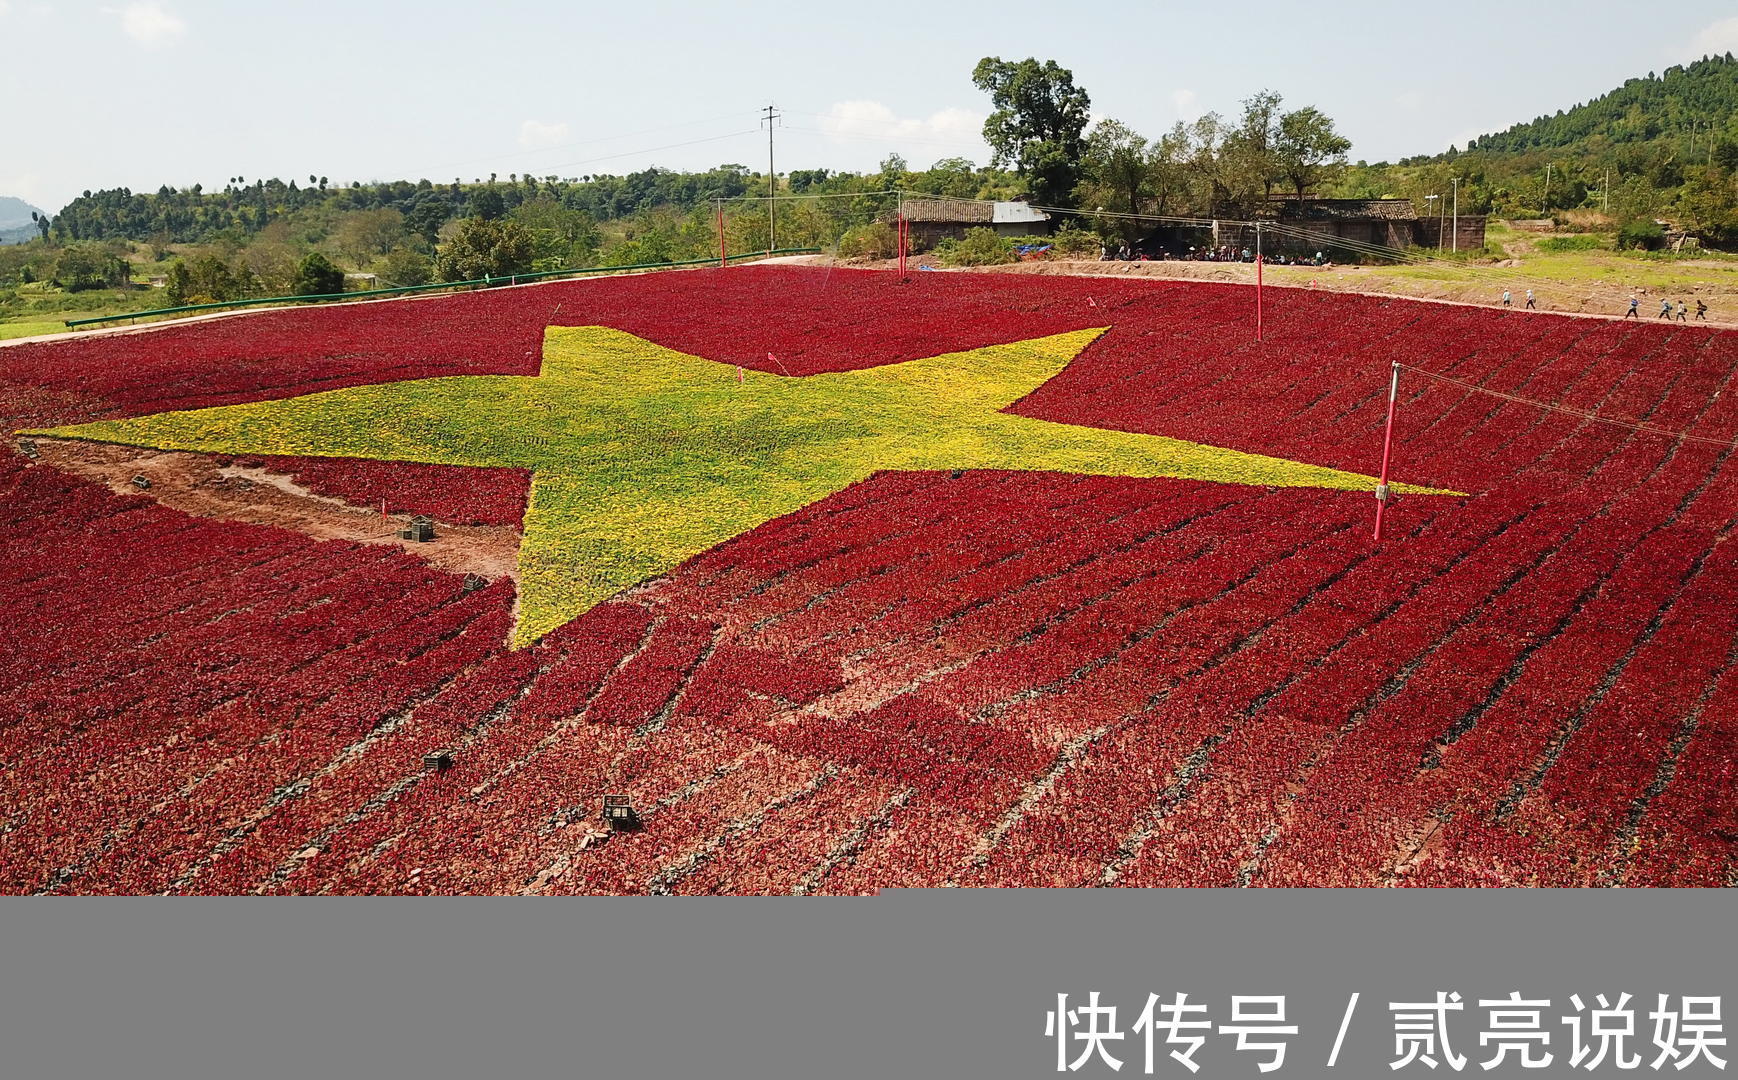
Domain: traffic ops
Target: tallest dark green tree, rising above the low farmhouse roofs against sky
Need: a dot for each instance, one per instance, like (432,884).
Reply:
(1038,124)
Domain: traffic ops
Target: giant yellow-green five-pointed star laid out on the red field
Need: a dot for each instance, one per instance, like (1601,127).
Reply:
(644,457)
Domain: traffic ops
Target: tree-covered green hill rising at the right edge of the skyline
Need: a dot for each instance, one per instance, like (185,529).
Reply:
(1685,105)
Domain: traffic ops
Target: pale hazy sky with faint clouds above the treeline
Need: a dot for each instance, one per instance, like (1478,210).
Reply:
(143,93)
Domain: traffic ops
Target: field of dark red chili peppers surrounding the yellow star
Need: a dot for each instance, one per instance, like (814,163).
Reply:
(934,677)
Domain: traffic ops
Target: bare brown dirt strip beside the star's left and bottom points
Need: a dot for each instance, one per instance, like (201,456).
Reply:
(199,486)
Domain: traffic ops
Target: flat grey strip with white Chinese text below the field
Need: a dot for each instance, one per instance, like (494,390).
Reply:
(945,983)
